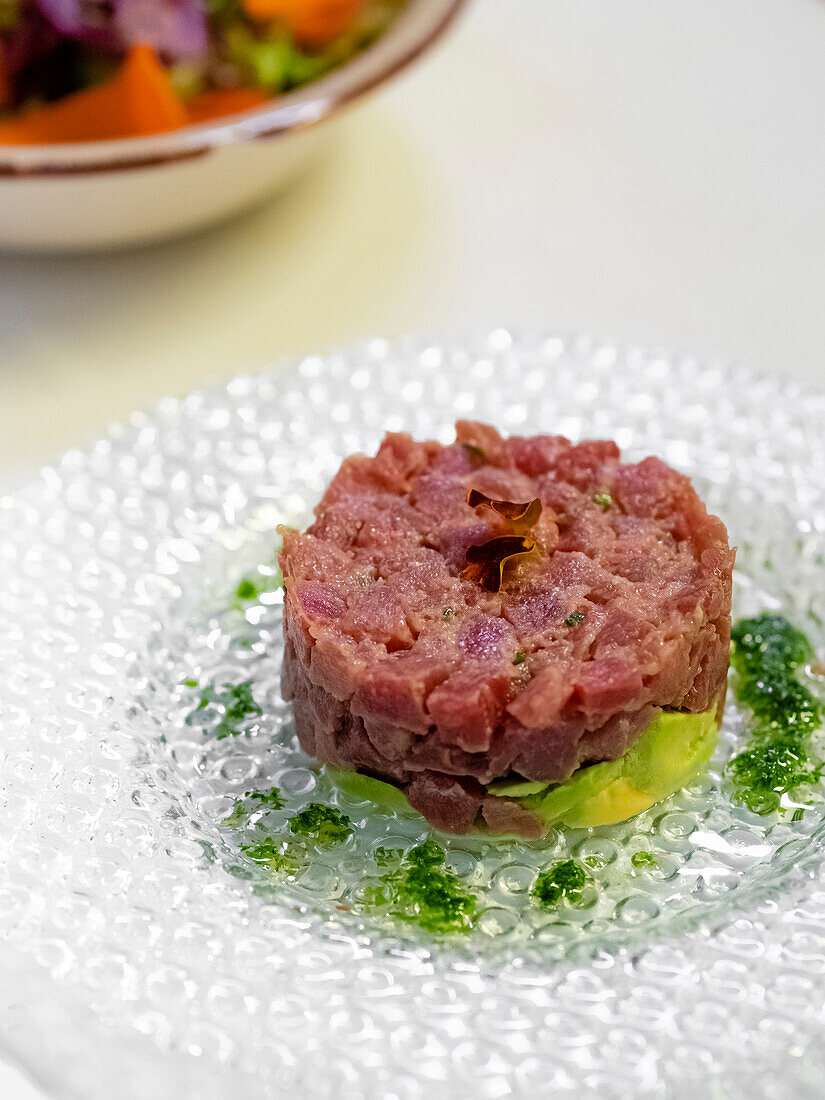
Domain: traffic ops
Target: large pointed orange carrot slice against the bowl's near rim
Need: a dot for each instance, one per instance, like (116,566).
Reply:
(139,101)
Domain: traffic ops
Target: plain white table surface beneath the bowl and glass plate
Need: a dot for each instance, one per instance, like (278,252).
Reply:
(650,171)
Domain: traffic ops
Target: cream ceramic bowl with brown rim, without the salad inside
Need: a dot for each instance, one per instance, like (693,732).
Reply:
(137,191)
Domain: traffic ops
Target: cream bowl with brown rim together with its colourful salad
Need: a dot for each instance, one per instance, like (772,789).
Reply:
(130,122)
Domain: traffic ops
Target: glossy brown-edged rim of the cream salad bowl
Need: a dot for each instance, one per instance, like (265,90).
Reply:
(413,32)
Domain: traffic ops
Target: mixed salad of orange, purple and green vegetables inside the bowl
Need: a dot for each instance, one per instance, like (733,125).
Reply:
(96,70)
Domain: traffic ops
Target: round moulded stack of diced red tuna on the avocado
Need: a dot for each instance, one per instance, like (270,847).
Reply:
(400,667)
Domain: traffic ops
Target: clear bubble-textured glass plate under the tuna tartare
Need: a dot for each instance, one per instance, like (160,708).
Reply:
(145,954)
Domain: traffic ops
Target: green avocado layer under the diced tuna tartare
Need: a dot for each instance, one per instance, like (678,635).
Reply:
(670,752)
